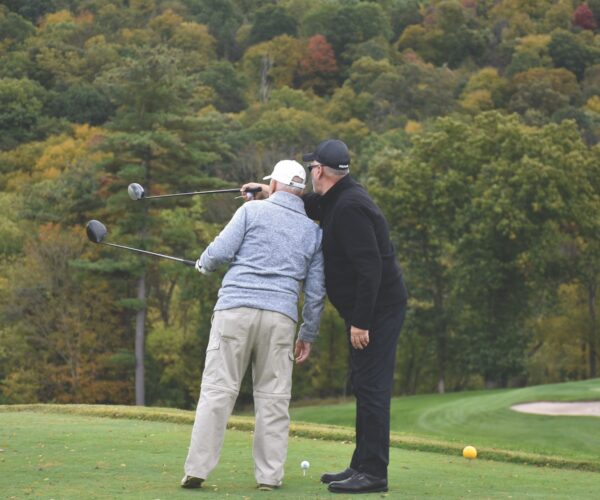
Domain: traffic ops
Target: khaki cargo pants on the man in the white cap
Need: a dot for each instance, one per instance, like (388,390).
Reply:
(237,337)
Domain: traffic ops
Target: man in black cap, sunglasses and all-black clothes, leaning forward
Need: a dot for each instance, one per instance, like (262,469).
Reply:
(365,284)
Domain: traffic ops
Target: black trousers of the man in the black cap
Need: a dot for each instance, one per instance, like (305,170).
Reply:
(372,376)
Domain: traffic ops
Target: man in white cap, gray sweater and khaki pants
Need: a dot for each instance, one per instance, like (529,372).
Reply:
(272,248)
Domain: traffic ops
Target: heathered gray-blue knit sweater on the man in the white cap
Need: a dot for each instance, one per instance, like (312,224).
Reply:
(272,248)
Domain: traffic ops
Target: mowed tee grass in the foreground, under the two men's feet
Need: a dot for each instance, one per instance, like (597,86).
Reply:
(48,455)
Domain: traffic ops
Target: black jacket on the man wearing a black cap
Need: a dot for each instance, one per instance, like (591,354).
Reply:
(362,276)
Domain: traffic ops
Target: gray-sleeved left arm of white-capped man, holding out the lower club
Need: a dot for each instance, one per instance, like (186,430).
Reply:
(225,246)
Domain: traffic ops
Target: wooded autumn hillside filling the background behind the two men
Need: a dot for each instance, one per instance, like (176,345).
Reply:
(474,124)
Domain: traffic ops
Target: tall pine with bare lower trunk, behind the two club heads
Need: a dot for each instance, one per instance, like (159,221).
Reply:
(155,141)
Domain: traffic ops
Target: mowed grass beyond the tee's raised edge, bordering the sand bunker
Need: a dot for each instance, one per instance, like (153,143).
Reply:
(485,420)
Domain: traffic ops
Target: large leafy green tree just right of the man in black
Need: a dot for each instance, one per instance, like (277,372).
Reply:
(477,209)
